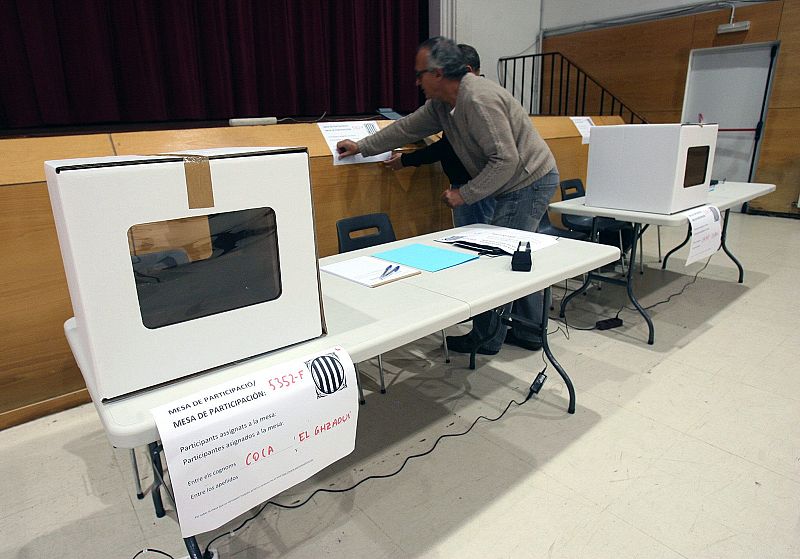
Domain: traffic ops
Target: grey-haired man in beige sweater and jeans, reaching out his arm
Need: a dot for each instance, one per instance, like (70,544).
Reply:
(498,145)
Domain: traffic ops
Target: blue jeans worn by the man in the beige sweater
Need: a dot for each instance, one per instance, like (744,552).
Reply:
(521,209)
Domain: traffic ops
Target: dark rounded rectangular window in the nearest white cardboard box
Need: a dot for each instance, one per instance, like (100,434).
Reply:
(193,267)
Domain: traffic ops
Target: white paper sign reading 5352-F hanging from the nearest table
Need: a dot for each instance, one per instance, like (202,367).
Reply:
(231,447)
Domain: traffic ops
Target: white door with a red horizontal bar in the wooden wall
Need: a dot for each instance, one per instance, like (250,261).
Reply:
(730,86)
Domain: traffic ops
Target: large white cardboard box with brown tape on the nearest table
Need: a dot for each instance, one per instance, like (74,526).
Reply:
(181,263)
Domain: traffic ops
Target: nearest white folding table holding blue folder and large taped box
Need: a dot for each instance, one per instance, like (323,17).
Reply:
(366,322)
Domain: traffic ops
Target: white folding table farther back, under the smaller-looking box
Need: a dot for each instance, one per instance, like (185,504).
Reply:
(724,196)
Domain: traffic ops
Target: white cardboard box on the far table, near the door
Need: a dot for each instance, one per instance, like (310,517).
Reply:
(656,168)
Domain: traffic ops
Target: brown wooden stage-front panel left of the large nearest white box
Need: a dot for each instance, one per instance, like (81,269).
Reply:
(35,362)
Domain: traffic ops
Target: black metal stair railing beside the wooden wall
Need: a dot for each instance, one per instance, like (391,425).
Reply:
(557,86)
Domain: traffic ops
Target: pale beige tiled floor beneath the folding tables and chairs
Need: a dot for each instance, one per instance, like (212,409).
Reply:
(688,448)
